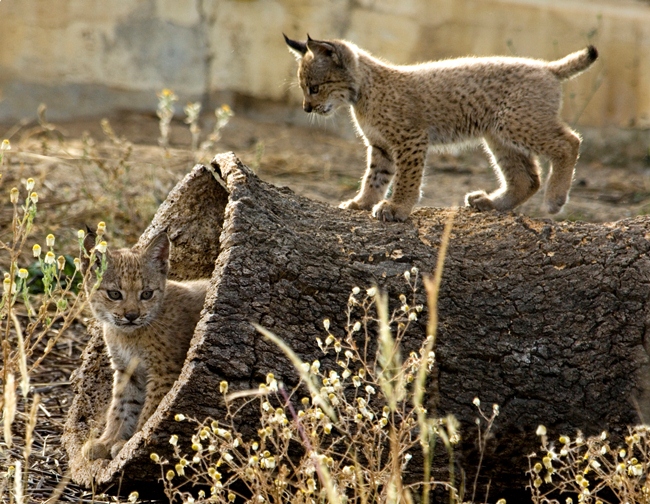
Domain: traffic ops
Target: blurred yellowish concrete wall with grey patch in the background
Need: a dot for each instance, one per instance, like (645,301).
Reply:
(87,57)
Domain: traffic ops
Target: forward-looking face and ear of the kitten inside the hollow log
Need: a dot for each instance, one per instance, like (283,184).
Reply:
(133,286)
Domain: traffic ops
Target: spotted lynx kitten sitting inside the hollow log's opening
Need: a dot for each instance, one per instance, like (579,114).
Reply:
(148,322)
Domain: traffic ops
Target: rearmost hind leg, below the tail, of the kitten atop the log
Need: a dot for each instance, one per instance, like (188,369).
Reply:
(562,149)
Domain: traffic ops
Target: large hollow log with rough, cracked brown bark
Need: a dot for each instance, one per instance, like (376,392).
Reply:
(546,319)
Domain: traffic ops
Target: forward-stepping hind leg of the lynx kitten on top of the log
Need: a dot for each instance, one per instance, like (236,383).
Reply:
(518,173)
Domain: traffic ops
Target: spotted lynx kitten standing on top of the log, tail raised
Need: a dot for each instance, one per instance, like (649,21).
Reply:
(512,104)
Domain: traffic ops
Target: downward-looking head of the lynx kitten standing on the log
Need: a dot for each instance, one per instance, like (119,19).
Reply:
(325,76)
